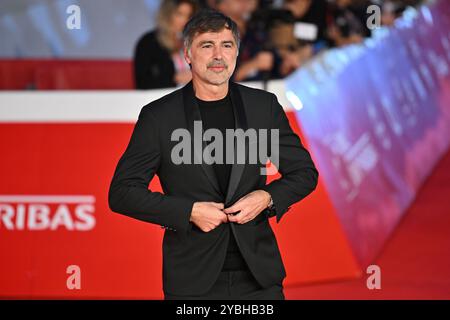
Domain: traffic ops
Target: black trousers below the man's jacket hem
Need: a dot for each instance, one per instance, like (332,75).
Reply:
(236,285)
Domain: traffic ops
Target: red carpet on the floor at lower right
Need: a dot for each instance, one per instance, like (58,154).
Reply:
(415,263)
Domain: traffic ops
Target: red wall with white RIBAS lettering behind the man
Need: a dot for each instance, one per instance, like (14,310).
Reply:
(54,214)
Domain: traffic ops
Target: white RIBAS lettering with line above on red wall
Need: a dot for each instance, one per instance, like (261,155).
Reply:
(47,212)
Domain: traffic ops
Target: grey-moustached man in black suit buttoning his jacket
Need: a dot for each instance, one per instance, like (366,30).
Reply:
(218,243)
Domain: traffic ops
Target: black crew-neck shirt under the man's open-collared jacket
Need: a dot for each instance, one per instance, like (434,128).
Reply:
(219,114)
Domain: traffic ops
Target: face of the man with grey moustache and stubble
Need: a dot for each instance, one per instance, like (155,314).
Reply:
(213,57)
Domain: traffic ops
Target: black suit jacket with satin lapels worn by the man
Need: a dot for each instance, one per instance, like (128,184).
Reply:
(192,259)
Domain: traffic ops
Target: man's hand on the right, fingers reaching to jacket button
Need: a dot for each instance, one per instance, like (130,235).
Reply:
(249,206)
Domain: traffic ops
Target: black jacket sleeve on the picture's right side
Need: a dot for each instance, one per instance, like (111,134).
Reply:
(299,176)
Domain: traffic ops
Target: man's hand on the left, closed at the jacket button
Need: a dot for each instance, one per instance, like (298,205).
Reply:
(208,215)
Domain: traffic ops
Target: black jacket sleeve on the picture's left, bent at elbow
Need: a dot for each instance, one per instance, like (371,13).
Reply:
(129,193)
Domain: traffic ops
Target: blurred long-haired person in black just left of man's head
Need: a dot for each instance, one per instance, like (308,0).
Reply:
(158,57)
